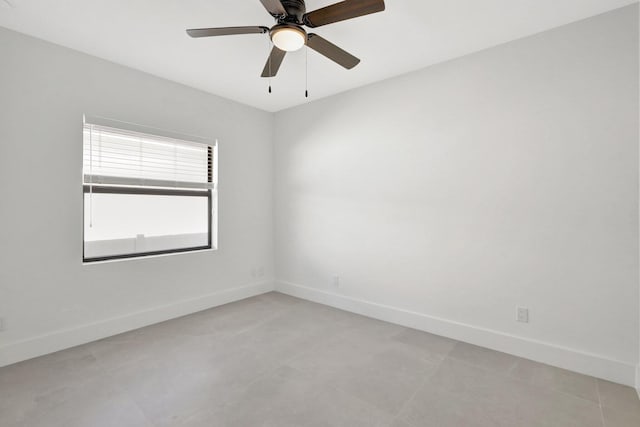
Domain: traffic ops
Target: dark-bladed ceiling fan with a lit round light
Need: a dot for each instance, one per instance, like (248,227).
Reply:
(289,35)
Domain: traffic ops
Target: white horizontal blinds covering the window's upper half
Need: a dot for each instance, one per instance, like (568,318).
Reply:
(114,156)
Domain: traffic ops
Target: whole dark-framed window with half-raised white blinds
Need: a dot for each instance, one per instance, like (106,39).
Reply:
(144,193)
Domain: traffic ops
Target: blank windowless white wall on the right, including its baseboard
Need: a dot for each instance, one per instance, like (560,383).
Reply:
(446,197)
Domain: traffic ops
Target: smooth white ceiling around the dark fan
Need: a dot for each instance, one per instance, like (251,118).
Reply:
(149,35)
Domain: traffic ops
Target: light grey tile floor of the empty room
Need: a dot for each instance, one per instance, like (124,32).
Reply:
(277,361)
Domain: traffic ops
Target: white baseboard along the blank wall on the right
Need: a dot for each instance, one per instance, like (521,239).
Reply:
(575,360)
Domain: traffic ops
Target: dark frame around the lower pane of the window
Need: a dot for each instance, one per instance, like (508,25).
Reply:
(105,189)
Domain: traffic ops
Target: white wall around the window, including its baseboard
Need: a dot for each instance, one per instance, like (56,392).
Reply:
(49,300)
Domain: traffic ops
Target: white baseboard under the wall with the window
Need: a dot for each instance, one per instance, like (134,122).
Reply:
(63,339)
